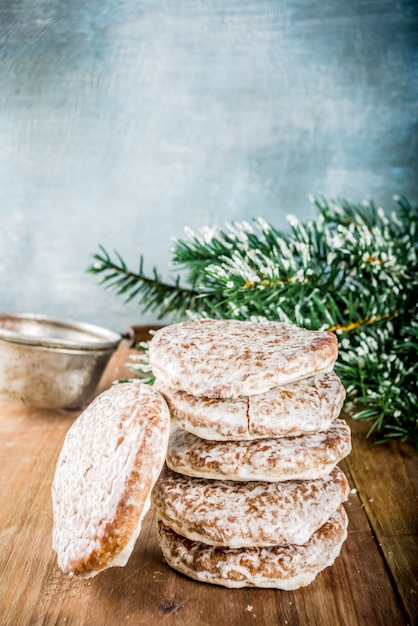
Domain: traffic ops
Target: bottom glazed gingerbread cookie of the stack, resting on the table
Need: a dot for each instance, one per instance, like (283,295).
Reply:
(276,567)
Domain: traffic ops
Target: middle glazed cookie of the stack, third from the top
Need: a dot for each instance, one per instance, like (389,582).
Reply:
(287,458)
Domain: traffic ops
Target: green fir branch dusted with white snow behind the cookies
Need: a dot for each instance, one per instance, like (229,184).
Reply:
(352,270)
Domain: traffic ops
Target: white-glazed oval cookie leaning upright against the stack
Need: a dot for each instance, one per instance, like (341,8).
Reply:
(111,457)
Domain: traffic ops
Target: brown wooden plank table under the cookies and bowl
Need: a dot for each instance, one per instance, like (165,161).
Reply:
(374,581)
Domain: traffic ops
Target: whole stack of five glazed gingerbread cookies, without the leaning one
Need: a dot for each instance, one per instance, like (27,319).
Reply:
(251,494)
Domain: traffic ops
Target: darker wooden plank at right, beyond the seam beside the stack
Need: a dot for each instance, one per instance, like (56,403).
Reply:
(386,478)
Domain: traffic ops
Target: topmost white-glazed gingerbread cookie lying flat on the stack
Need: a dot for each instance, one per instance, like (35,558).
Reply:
(230,358)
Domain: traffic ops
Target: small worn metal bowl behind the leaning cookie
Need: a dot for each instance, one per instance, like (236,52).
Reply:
(49,362)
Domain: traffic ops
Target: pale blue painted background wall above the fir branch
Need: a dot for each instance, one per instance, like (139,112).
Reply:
(123,122)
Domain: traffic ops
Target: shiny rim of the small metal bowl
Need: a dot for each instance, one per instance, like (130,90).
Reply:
(100,338)
